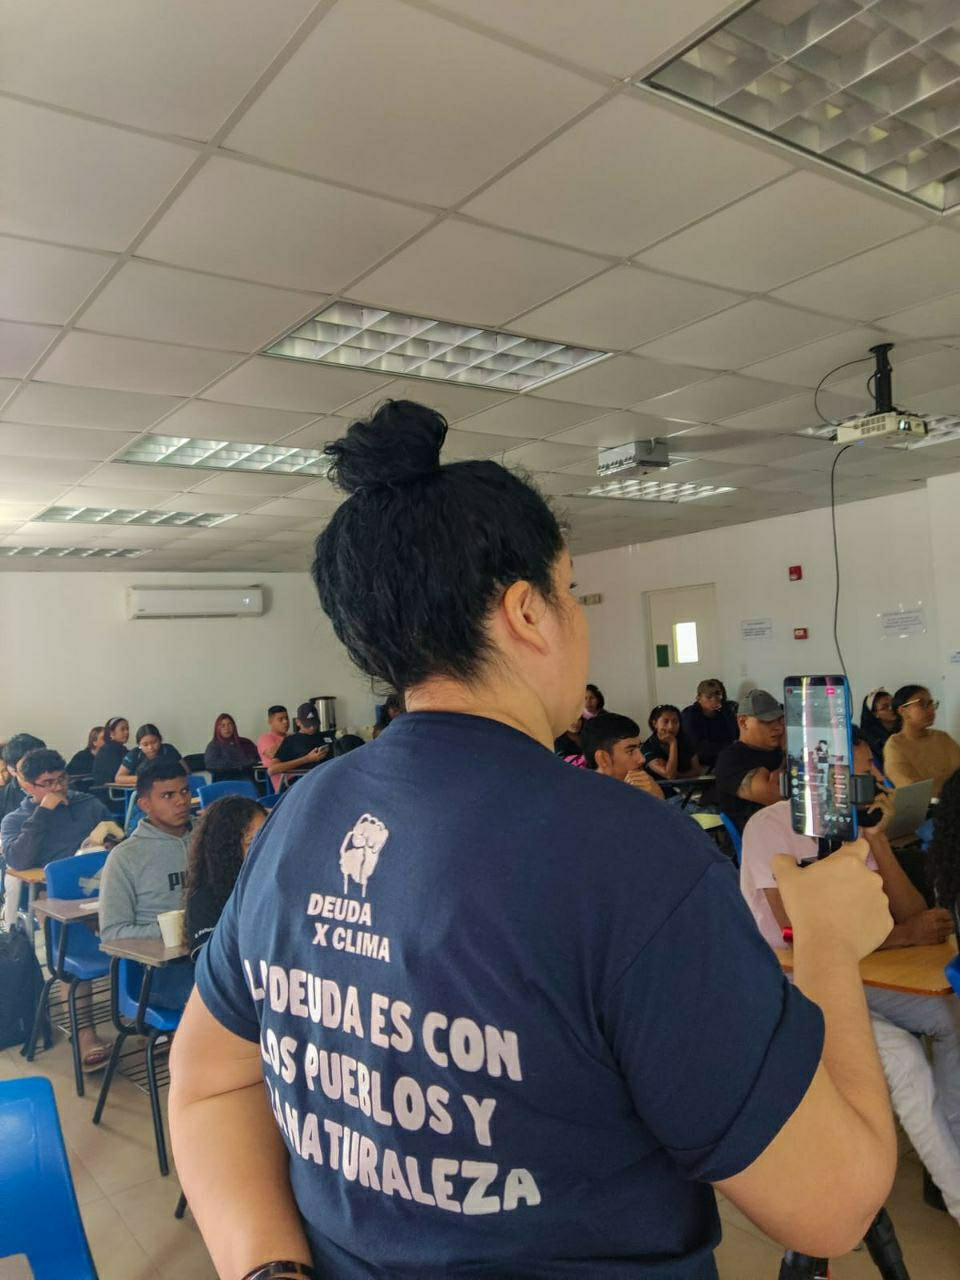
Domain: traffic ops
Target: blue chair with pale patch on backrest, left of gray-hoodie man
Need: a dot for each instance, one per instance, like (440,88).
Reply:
(74,952)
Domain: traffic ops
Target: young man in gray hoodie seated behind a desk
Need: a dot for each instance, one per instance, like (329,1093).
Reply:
(144,875)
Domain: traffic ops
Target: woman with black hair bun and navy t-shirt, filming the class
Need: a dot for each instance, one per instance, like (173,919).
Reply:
(514,1018)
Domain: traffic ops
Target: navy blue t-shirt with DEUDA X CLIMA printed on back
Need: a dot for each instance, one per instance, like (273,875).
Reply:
(514,1017)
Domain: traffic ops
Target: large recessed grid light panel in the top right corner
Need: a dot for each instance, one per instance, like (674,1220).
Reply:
(872,86)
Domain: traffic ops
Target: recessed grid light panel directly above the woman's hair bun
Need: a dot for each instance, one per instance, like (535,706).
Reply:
(387,342)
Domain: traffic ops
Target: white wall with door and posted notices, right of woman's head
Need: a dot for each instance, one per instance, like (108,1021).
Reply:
(895,552)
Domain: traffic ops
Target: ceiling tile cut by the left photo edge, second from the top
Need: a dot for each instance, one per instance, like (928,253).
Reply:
(83,184)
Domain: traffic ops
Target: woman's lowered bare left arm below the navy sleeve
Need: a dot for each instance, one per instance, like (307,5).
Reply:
(231,1158)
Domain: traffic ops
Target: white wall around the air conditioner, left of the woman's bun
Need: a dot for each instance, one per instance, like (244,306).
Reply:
(72,660)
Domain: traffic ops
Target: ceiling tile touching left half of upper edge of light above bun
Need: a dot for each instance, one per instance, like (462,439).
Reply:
(474,276)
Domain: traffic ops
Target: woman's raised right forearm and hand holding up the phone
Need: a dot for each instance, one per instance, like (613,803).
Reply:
(820,1183)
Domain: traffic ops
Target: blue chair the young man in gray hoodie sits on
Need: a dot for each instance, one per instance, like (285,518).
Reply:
(136,1014)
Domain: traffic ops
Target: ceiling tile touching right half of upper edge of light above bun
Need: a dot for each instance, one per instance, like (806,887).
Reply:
(624,308)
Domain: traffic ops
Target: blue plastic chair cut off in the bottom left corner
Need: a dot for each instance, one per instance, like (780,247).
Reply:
(40,1217)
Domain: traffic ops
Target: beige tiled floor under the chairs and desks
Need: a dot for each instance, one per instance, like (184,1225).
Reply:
(129,1209)
